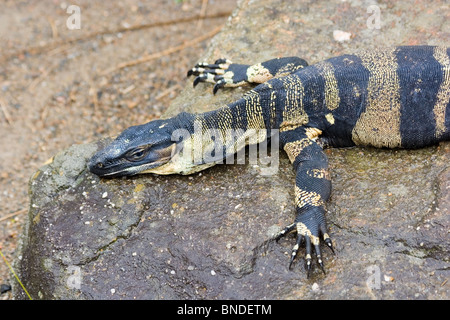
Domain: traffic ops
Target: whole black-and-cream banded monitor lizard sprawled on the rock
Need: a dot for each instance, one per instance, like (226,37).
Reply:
(389,98)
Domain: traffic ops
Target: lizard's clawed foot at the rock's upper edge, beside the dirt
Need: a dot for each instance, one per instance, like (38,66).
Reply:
(223,73)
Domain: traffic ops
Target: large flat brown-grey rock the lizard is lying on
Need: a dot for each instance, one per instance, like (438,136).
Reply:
(209,235)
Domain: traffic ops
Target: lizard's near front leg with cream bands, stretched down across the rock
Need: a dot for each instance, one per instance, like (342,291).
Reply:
(312,190)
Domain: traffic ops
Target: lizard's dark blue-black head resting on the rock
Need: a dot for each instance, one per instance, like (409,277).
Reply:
(138,149)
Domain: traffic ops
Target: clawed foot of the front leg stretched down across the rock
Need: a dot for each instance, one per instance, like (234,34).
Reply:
(305,235)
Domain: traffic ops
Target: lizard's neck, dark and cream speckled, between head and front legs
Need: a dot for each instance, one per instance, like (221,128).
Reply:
(213,136)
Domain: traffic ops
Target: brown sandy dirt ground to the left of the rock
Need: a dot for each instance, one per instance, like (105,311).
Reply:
(60,85)
